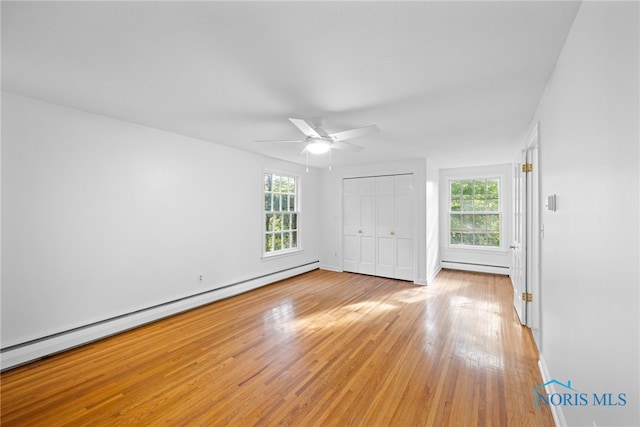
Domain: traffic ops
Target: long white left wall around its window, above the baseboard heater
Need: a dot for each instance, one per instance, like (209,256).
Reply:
(102,217)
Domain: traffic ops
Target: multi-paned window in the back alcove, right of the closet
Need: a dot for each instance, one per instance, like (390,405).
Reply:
(474,212)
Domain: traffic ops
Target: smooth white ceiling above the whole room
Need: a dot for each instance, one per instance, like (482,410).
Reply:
(457,82)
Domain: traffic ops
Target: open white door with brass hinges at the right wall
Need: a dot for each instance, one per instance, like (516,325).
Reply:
(518,247)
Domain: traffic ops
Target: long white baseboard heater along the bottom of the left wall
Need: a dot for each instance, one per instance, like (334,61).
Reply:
(22,353)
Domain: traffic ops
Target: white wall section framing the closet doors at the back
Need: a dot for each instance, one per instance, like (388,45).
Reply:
(331,214)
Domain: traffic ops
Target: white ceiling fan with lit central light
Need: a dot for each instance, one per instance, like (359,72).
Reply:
(319,141)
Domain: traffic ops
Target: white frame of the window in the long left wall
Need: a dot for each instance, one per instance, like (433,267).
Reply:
(297,211)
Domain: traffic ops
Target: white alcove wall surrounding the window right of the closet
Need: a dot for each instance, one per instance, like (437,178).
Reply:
(495,260)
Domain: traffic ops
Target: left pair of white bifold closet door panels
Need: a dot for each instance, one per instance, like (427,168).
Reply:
(359,225)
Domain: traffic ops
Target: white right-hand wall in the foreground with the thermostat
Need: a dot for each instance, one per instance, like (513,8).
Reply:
(589,158)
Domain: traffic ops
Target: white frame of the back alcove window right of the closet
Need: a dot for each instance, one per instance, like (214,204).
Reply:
(500,211)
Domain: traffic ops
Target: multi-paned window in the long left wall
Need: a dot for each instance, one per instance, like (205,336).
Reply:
(280,213)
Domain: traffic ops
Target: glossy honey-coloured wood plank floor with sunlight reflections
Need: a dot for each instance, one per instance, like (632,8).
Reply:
(321,349)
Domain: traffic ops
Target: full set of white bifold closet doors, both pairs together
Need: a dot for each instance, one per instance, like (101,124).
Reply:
(378,226)
